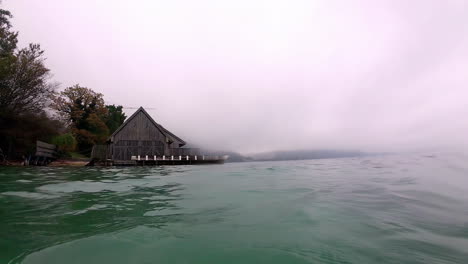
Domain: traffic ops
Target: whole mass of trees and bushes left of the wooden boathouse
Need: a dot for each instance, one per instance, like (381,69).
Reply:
(26,96)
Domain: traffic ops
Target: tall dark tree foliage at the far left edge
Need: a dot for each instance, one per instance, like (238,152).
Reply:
(24,94)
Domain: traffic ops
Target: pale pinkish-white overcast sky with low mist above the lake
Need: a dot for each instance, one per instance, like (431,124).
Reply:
(254,76)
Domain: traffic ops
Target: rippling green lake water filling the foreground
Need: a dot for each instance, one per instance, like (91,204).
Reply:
(389,209)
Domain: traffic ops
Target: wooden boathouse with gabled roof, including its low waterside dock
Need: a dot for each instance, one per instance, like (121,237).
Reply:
(142,141)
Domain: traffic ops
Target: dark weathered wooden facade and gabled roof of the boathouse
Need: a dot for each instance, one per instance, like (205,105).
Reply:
(141,136)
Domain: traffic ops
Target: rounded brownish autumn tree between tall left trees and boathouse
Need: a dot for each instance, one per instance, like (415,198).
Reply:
(84,110)
